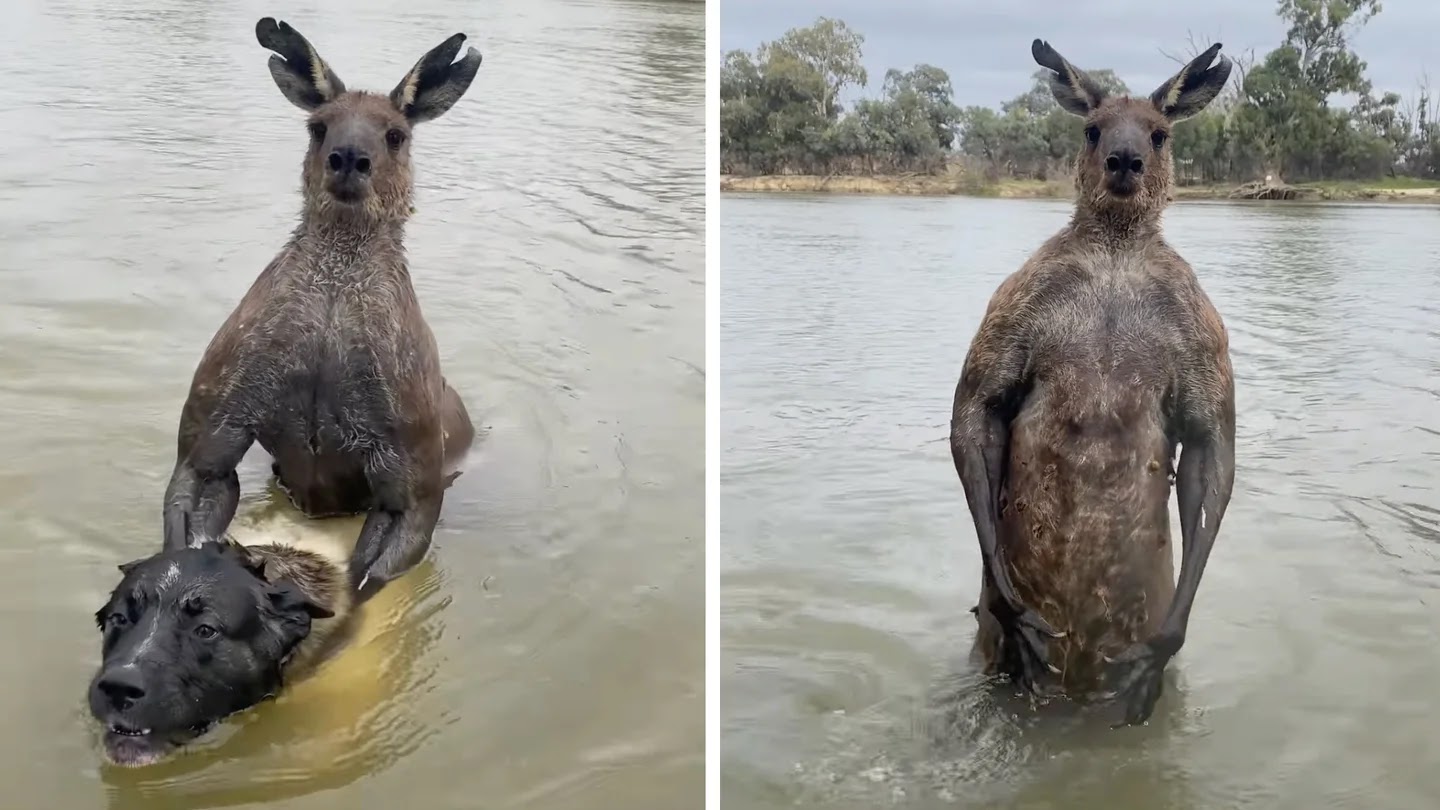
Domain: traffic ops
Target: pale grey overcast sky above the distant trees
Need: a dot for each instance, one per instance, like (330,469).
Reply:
(986,45)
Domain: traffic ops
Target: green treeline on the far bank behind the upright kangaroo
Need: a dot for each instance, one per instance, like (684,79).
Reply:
(781,113)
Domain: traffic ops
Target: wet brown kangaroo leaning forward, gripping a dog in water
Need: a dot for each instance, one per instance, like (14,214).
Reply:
(328,361)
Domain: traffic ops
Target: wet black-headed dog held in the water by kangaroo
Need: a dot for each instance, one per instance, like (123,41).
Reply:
(192,636)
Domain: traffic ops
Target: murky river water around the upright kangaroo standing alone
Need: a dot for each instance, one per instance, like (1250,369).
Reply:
(849,558)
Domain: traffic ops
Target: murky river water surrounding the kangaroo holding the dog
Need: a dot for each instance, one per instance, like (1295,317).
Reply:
(551,651)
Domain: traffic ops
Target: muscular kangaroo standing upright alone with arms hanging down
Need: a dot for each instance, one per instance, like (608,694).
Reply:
(1092,364)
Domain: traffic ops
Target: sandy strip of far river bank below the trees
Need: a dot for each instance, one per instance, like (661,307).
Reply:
(1403,191)
